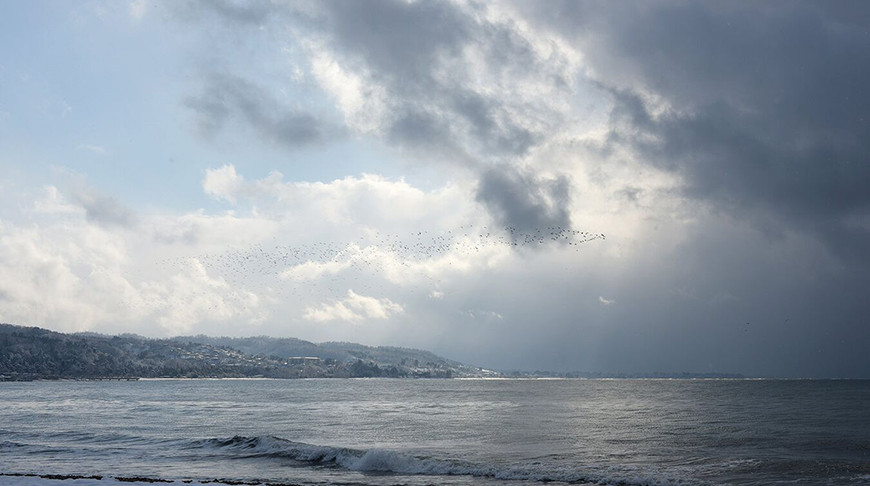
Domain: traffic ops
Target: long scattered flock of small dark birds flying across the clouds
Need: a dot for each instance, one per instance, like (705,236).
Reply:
(334,267)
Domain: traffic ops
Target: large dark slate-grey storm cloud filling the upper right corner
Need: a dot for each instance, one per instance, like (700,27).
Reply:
(767,106)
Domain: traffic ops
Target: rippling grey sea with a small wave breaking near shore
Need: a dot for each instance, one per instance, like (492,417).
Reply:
(438,432)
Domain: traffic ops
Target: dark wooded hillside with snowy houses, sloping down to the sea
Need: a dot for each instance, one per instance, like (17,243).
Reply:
(28,353)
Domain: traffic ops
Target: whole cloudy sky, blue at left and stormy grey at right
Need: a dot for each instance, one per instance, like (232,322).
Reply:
(572,186)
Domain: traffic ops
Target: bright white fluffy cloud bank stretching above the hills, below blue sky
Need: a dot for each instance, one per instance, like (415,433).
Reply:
(165,273)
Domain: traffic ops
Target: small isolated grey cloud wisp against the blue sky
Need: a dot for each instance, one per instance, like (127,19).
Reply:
(225,97)
